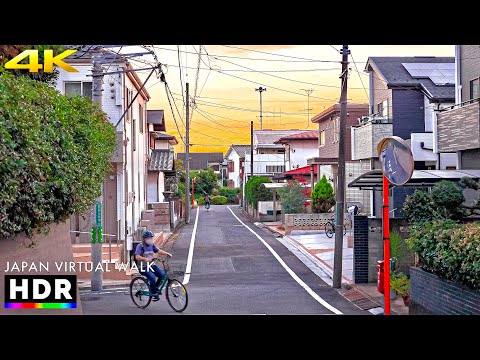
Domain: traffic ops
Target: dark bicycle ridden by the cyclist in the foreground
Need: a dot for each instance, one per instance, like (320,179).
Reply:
(176,293)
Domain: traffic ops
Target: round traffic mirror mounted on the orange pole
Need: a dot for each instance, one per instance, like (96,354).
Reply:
(396,158)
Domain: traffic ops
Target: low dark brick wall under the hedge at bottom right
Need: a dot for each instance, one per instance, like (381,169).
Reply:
(430,294)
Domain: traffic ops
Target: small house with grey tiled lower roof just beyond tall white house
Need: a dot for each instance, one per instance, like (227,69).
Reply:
(161,165)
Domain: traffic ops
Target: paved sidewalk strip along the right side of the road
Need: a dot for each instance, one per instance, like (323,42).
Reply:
(316,251)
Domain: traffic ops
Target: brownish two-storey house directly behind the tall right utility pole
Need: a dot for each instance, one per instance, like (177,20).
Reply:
(326,156)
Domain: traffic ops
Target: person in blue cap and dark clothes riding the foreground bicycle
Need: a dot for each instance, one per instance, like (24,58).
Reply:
(144,254)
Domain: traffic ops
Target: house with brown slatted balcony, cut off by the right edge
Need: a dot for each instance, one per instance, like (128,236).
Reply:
(458,127)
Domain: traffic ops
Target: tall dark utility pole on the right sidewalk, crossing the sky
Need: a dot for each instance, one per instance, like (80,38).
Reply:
(340,197)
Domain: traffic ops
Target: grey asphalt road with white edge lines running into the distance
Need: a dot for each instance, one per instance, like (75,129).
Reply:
(233,272)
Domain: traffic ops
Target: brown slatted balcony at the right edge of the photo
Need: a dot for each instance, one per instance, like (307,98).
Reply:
(459,127)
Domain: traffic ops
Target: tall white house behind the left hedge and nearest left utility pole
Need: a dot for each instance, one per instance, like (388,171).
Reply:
(124,196)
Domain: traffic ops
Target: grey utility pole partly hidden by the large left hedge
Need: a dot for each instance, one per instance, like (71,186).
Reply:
(96,276)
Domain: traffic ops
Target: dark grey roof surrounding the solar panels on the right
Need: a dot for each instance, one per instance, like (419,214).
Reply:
(395,74)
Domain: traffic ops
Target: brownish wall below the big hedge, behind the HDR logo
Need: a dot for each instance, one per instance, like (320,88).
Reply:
(49,248)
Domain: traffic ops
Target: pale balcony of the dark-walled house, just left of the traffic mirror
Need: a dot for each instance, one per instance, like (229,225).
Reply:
(366,136)
